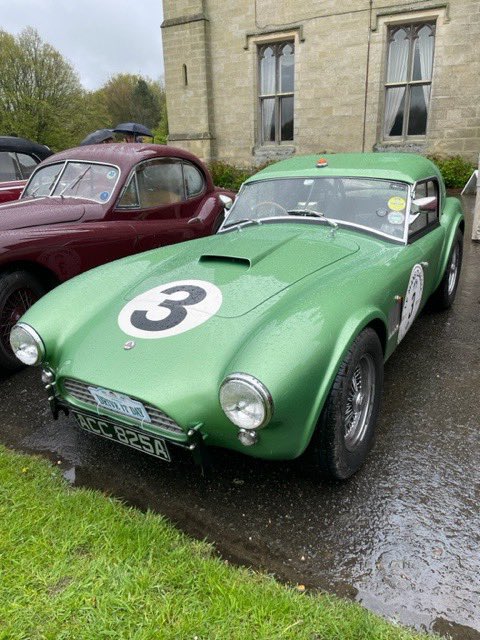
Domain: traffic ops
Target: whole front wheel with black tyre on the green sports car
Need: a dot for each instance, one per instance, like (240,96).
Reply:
(345,430)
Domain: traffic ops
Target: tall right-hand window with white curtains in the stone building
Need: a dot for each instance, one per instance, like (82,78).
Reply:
(409,79)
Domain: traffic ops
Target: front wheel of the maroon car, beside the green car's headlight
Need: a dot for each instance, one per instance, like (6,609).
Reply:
(18,291)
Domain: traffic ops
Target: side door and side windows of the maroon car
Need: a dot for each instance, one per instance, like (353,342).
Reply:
(161,199)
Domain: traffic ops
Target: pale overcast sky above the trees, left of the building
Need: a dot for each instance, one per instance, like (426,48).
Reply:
(99,38)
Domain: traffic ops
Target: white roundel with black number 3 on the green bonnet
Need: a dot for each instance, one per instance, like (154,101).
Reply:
(170,309)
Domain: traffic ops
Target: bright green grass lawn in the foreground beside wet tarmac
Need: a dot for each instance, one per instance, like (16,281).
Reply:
(75,564)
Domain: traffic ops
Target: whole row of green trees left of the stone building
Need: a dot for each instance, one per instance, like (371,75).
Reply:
(41,96)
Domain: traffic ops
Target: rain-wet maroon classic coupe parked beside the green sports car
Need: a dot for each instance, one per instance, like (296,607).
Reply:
(90,205)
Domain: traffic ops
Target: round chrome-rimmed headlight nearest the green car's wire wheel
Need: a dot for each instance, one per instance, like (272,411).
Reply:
(246,401)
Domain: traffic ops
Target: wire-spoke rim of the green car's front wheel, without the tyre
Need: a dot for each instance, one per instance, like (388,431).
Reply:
(359,404)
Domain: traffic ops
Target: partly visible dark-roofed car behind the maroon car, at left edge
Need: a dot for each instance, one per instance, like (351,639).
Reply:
(18,159)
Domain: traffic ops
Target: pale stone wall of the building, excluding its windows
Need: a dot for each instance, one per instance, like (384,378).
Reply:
(216,114)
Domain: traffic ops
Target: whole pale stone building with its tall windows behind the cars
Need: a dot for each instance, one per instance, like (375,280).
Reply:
(248,80)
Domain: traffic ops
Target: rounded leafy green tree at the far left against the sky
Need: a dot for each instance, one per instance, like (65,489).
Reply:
(40,93)
